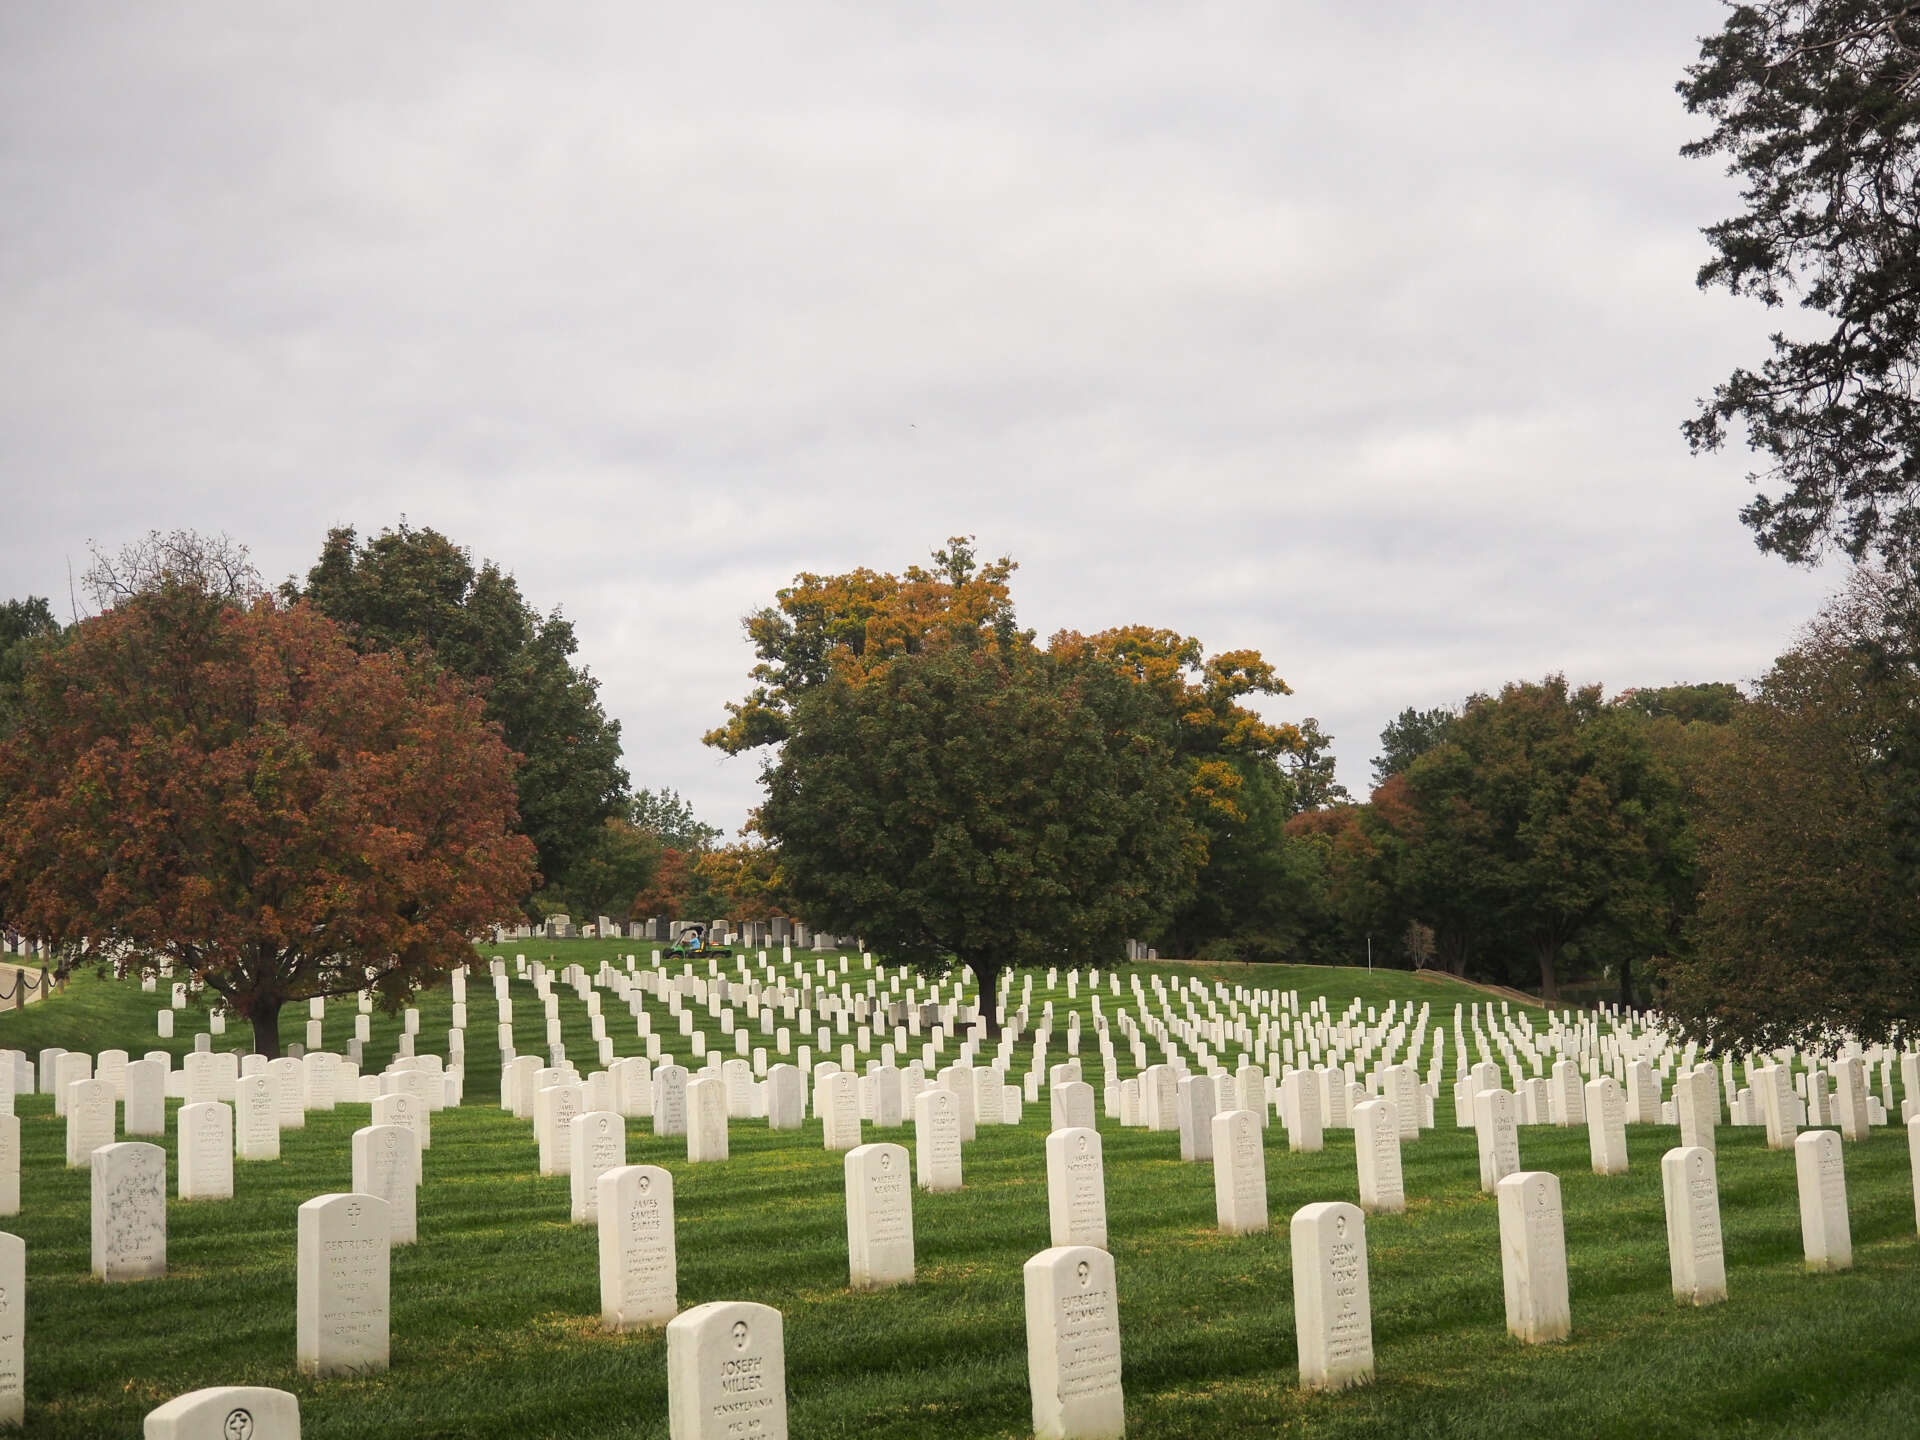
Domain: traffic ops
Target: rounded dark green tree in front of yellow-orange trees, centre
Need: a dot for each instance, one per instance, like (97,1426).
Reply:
(980,805)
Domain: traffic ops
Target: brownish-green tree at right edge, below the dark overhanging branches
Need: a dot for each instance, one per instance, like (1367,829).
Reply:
(1810,917)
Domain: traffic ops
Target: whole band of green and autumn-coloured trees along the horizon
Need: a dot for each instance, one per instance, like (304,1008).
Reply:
(953,790)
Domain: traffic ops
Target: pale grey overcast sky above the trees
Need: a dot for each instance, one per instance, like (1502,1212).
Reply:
(1358,335)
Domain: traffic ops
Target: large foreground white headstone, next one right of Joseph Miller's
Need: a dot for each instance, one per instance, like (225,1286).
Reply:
(1074,1345)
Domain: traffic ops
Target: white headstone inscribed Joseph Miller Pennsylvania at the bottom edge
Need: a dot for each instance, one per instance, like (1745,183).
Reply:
(727,1374)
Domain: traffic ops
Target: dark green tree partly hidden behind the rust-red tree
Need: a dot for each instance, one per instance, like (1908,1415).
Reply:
(418,590)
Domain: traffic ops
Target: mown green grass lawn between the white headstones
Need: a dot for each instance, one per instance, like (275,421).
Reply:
(496,1312)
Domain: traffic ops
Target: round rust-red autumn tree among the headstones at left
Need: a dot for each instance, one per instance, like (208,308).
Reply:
(239,792)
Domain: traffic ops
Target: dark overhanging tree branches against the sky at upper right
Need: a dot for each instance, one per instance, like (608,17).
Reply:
(1815,105)
